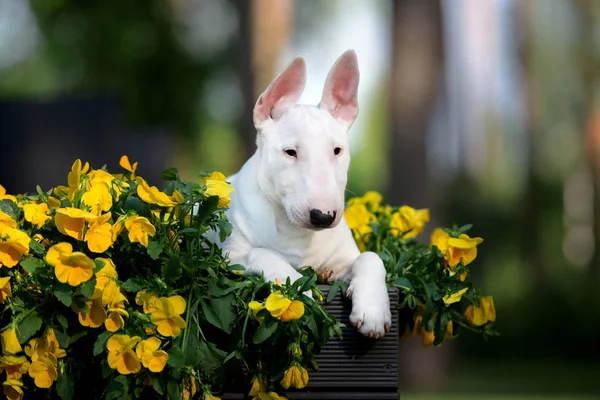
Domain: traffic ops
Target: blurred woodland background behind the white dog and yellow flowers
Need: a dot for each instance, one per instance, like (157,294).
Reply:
(484,111)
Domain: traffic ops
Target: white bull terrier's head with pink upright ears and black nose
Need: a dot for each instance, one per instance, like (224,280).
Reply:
(303,150)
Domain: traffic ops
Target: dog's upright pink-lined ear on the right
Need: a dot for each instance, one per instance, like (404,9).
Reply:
(341,89)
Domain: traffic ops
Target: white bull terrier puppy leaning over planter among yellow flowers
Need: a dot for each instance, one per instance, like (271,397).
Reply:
(287,209)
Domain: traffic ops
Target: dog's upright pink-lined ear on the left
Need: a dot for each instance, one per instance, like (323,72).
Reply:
(282,93)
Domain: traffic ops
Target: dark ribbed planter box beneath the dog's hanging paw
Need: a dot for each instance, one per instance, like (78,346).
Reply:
(353,368)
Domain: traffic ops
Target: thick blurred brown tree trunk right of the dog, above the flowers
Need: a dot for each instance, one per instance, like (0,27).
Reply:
(416,69)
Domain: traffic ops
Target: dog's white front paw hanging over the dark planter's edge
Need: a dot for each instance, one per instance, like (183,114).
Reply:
(370,312)
